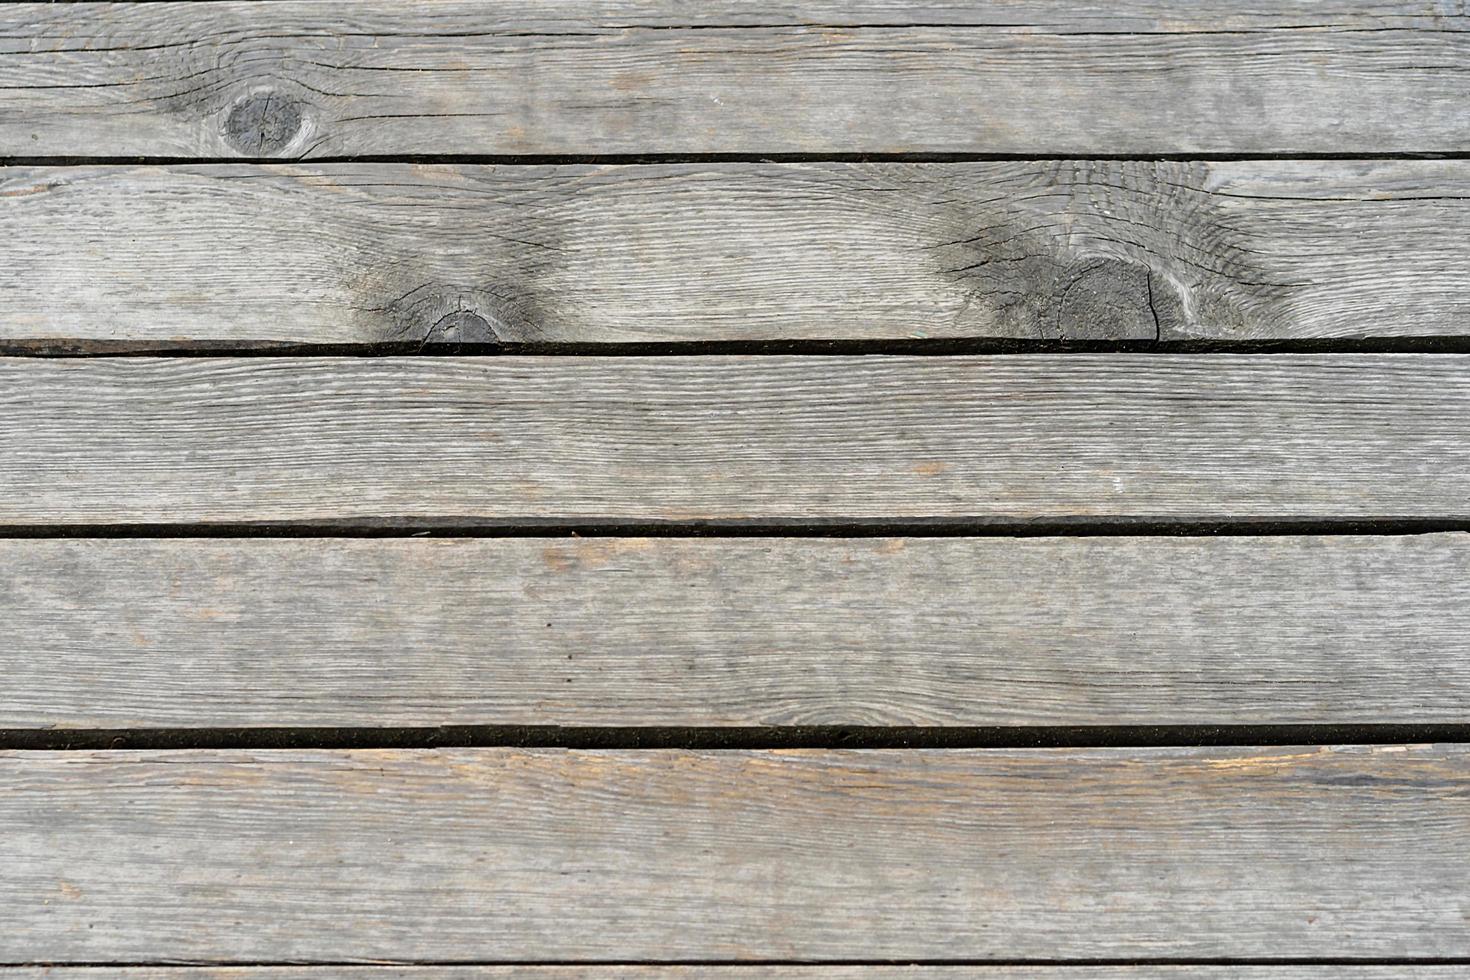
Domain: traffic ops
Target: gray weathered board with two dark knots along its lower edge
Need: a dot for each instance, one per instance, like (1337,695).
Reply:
(1074,249)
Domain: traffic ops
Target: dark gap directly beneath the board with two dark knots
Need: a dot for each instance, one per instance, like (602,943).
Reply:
(928,347)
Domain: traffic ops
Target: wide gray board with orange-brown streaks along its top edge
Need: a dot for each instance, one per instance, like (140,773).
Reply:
(551,854)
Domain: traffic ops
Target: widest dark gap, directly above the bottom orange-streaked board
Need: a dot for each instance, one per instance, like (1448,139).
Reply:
(745,738)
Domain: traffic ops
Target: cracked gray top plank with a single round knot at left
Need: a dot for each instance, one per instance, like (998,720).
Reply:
(1143,77)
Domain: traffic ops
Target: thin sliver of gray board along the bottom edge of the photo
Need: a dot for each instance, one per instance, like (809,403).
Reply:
(745,972)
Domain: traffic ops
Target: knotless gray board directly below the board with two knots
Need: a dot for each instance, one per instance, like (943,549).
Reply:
(511,440)
